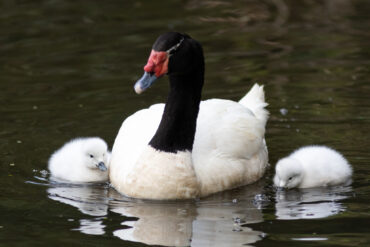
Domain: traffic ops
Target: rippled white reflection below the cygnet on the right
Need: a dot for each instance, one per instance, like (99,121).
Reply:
(310,203)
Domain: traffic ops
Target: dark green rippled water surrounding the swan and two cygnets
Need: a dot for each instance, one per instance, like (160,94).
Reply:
(67,69)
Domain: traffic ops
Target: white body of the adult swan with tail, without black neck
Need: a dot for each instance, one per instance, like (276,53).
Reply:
(229,150)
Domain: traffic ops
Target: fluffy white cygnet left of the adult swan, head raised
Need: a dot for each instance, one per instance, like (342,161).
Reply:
(81,160)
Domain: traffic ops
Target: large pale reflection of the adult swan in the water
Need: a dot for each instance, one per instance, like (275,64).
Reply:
(217,220)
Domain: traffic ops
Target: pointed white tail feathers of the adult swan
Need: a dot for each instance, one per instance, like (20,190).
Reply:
(254,100)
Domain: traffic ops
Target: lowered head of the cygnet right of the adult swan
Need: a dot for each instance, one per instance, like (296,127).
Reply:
(289,173)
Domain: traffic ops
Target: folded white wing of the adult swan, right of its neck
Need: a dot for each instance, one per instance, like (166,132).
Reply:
(229,147)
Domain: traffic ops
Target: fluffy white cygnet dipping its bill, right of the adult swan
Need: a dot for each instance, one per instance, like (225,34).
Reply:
(312,166)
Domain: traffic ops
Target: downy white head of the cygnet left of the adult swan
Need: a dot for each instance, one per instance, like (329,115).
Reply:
(95,154)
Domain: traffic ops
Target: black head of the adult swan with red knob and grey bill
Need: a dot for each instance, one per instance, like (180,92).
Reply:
(172,53)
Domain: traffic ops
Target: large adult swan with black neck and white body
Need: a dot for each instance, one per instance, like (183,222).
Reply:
(169,151)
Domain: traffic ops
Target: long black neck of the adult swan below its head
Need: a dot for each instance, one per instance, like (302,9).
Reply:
(177,128)
